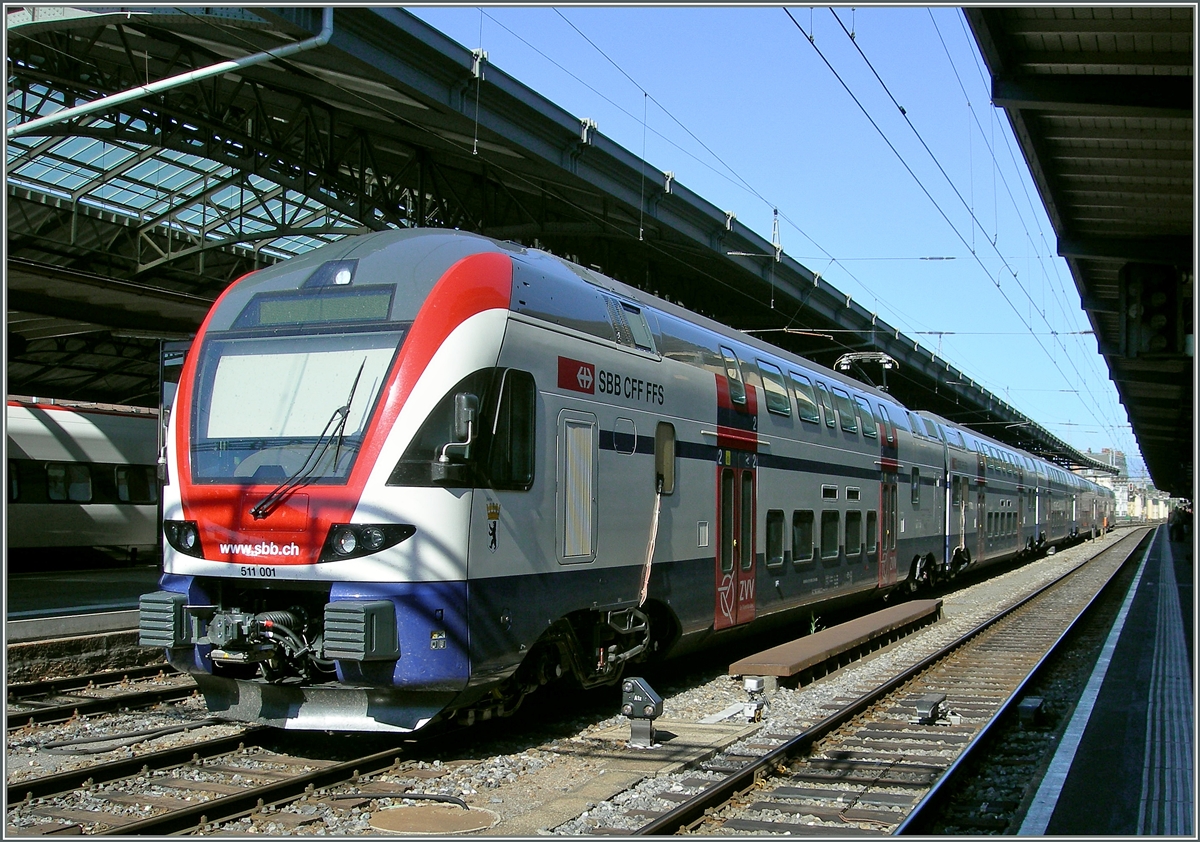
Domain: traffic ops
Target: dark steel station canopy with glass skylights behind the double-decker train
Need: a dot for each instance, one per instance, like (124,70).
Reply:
(129,219)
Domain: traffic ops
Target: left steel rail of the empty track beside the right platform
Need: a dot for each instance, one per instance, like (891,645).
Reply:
(693,810)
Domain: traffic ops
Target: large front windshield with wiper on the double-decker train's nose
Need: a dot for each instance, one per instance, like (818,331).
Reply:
(271,407)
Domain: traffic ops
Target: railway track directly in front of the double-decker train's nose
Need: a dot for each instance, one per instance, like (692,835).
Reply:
(195,789)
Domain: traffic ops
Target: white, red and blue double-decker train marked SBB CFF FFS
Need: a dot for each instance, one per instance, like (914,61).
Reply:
(417,474)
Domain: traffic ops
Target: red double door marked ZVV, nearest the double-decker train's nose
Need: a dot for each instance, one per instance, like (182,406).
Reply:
(735,546)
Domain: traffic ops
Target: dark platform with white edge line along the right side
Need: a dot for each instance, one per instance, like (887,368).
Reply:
(1125,765)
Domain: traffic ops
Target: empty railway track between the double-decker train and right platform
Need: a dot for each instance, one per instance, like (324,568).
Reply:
(866,768)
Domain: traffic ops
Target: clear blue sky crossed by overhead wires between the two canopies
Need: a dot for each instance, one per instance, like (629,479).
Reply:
(740,105)
